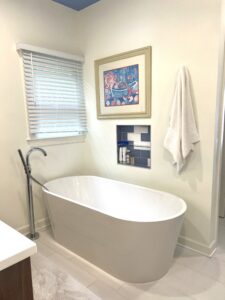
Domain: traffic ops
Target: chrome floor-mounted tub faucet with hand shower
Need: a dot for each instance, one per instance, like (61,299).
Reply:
(33,235)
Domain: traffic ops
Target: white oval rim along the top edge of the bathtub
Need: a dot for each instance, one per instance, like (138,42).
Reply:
(174,216)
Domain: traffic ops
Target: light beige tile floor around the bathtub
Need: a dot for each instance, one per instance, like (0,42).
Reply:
(58,274)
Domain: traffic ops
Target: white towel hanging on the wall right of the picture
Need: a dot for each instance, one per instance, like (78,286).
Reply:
(182,133)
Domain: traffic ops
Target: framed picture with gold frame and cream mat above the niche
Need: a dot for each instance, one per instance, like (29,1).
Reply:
(123,85)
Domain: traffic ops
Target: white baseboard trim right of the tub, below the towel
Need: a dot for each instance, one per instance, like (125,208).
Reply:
(207,250)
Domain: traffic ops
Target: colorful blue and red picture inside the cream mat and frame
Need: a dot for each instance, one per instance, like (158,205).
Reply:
(121,86)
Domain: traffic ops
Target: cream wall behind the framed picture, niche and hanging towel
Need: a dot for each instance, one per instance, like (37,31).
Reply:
(180,32)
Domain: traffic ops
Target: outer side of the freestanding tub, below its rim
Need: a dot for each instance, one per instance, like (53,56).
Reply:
(130,251)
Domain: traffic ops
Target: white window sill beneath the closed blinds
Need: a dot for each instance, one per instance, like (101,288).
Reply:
(56,140)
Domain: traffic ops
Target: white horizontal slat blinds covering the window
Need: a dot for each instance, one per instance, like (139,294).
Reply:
(54,93)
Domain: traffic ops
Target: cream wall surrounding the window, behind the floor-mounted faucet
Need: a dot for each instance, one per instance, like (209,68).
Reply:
(46,24)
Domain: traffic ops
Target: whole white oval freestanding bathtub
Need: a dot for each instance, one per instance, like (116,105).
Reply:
(127,230)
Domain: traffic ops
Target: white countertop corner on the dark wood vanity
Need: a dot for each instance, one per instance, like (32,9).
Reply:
(14,246)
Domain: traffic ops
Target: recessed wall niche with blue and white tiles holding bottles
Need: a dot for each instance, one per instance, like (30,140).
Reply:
(134,145)
